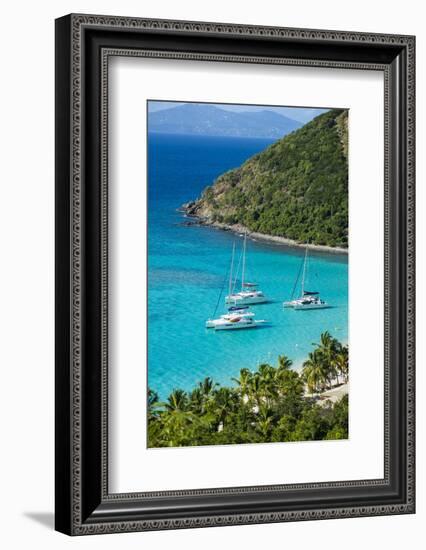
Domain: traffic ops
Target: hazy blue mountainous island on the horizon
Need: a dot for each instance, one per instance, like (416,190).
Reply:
(204,119)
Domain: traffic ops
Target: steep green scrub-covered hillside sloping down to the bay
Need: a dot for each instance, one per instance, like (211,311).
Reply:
(295,191)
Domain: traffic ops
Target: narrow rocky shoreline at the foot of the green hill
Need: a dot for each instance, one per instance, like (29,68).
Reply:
(194,220)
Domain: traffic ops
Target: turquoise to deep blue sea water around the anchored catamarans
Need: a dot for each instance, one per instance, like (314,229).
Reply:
(188,267)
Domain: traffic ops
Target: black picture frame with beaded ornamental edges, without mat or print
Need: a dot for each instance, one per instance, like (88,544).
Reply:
(83,45)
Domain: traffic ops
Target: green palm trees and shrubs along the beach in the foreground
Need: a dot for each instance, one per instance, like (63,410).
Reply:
(271,404)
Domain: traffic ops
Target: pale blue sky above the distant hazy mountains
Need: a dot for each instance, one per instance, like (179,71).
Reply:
(302,114)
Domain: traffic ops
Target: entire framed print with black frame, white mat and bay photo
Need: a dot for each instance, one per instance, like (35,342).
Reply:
(234,274)
